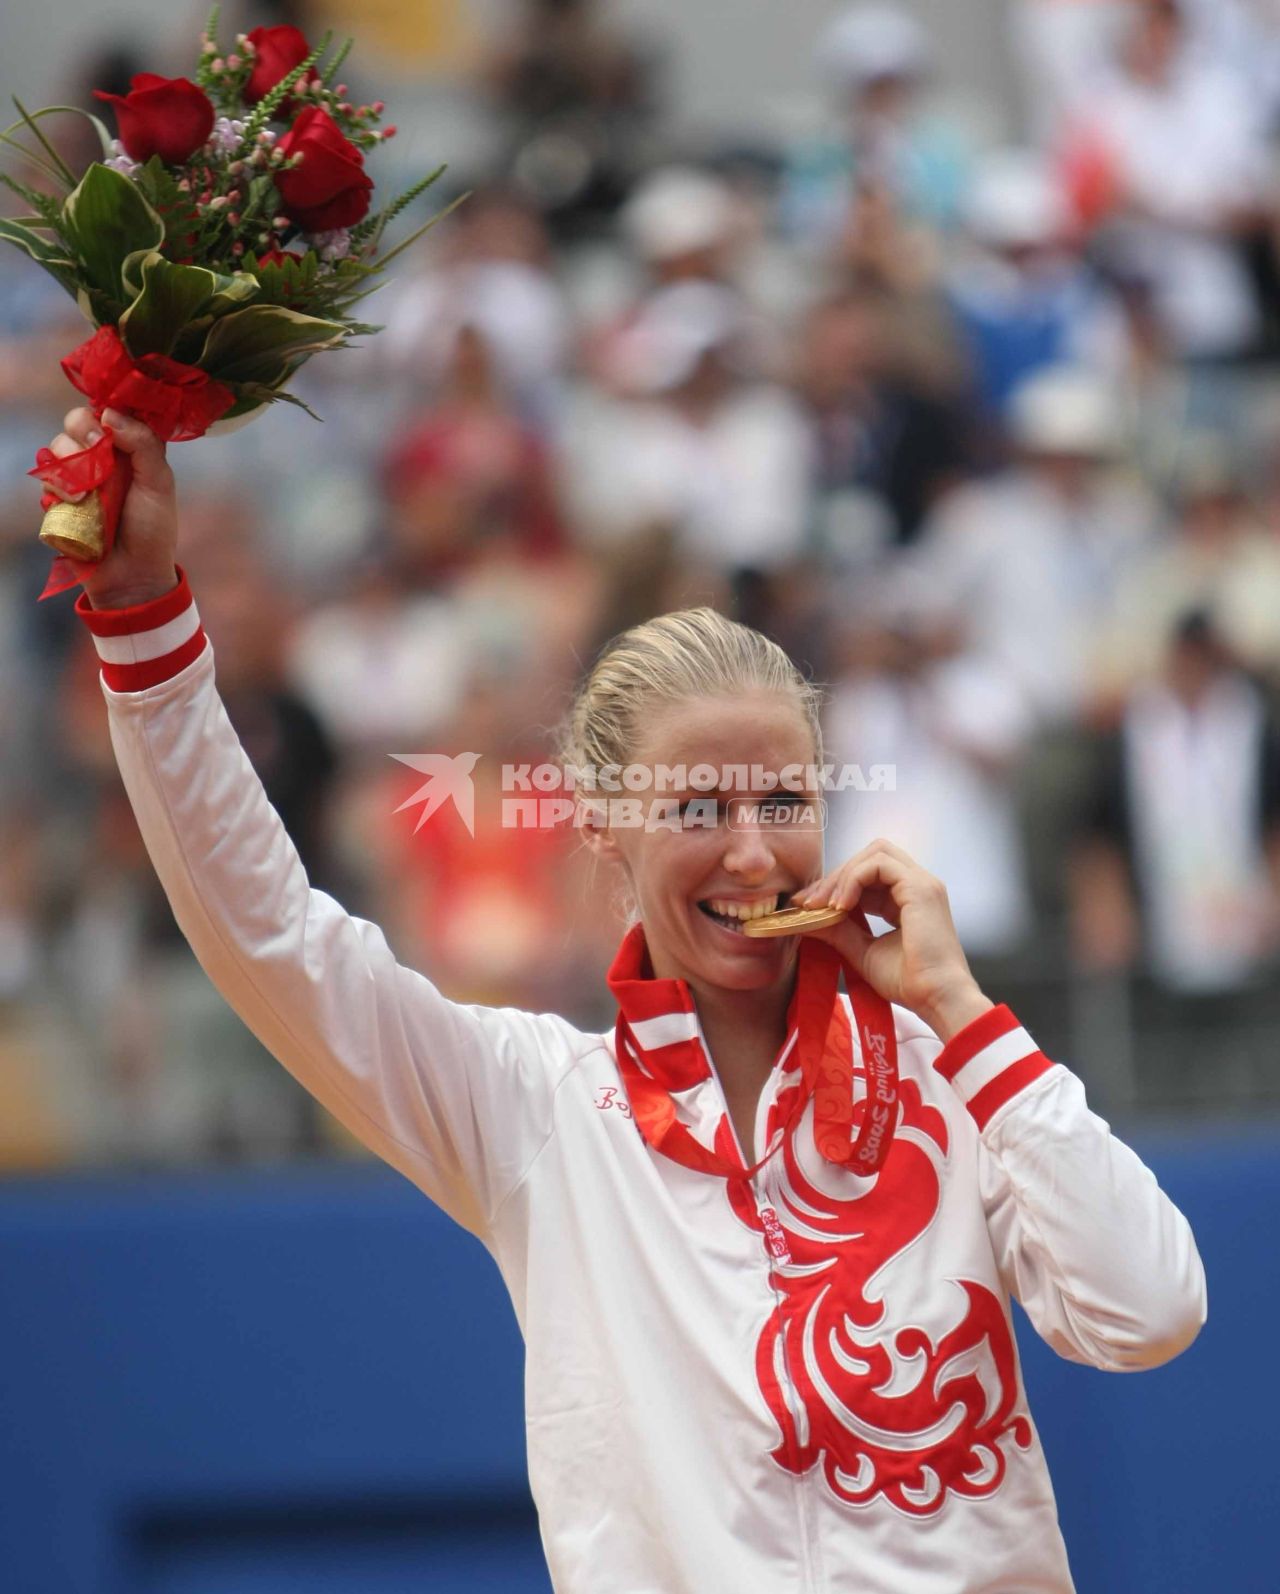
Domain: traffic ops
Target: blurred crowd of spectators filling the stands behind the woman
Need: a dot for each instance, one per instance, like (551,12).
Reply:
(986,433)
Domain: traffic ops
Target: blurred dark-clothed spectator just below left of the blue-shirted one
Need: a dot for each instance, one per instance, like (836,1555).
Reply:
(878,430)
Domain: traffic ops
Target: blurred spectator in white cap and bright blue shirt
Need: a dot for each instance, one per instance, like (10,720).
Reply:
(1021,296)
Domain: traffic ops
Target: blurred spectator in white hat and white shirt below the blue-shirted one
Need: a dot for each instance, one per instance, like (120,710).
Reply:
(1031,560)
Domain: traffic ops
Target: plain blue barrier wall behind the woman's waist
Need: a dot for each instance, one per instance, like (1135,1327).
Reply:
(310,1381)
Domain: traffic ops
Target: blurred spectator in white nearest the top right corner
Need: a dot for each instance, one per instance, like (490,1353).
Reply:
(1169,155)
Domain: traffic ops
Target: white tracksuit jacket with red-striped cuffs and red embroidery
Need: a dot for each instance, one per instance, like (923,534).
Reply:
(704,1418)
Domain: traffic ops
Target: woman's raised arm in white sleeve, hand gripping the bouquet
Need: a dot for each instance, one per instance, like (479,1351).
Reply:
(458,1099)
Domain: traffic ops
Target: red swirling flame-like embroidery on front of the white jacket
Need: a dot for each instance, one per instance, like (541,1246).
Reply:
(885,1413)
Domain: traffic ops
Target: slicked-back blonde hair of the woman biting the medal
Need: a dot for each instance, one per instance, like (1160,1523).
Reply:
(673,659)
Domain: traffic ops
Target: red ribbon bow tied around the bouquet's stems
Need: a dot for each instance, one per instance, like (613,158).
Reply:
(176,401)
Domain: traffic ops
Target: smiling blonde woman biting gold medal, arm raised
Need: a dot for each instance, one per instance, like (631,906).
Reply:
(761,1238)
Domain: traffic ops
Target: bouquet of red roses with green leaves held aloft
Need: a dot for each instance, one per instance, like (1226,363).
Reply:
(224,238)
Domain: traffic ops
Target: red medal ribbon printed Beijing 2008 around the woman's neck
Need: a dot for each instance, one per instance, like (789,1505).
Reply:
(825,1048)
